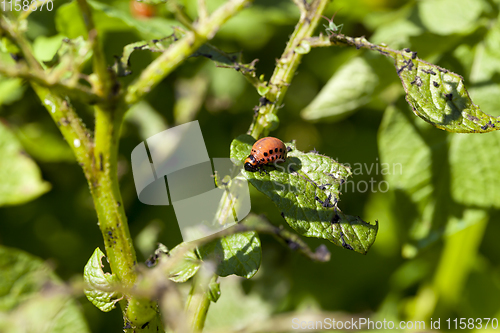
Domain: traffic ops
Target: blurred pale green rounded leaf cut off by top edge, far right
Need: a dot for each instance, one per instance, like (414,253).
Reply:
(445,17)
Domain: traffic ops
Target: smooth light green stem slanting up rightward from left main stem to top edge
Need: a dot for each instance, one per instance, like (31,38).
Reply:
(180,50)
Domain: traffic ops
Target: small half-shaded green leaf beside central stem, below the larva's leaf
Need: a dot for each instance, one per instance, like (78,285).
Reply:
(238,254)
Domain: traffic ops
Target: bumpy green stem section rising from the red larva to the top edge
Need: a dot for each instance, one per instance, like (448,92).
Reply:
(287,66)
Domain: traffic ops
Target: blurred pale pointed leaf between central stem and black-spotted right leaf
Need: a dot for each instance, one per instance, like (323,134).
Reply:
(348,89)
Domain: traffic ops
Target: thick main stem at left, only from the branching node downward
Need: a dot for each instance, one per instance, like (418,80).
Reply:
(139,314)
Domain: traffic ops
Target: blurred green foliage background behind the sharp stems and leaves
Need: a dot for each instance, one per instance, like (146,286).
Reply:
(437,252)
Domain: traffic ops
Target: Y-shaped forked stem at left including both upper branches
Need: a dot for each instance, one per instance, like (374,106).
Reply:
(98,159)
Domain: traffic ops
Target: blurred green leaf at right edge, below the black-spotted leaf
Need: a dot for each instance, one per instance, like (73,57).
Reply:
(475,172)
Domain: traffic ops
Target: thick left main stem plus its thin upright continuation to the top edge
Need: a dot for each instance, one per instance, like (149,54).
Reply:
(139,313)
